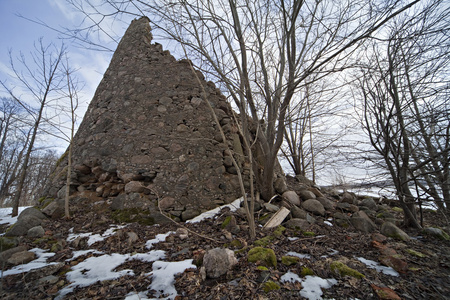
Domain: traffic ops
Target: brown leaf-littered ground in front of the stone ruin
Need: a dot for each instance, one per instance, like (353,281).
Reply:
(424,278)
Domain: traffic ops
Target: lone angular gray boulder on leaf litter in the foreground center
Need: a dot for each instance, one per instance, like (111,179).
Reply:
(218,262)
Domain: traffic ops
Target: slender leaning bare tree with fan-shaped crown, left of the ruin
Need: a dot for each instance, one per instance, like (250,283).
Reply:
(41,80)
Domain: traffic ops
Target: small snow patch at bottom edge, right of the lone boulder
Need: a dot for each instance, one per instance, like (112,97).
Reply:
(312,285)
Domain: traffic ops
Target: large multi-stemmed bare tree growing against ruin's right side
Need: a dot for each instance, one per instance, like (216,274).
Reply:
(260,52)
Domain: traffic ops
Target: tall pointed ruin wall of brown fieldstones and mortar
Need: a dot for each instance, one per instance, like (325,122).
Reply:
(148,136)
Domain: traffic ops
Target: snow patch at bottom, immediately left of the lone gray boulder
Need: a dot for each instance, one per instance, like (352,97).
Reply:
(163,276)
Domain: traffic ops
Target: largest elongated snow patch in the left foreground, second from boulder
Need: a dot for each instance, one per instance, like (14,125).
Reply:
(101,268)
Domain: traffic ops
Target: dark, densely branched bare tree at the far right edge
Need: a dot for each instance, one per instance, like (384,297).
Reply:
(404,93)
